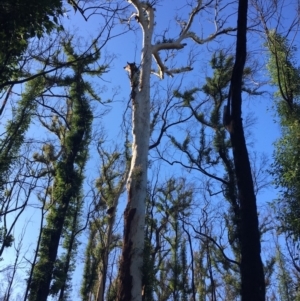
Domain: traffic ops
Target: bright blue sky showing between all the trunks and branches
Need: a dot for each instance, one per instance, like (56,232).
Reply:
(120,43)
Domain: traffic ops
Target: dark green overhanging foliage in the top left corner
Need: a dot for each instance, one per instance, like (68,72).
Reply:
(20,21)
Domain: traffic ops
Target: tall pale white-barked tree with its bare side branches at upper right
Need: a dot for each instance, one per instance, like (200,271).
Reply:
(130,273)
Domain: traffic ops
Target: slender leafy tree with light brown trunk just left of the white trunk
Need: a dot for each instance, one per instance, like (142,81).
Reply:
(102,237)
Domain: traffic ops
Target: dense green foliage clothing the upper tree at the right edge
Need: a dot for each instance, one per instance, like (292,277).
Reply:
(285,75)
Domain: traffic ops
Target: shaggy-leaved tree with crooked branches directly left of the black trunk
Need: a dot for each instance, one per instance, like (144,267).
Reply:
(206,148)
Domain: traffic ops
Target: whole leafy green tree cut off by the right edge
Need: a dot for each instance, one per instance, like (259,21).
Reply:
(283,68)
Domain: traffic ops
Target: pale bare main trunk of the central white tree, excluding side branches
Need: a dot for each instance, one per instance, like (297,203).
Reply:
(130,273)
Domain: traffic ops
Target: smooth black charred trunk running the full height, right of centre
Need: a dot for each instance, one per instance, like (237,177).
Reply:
(253,284)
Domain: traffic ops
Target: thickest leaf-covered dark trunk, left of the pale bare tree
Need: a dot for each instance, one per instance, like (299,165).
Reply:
(66,189)
